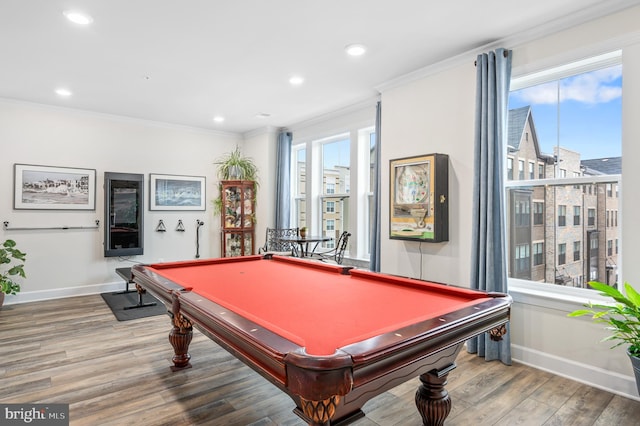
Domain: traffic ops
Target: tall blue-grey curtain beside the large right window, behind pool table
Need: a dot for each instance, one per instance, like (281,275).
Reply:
(488,253)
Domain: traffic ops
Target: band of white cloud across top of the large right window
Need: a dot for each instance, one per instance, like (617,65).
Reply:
(591,88)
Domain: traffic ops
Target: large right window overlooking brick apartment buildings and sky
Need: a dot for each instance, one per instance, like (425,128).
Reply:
(567,122)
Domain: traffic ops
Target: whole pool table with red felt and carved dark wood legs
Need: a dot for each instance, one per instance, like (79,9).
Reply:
(331,337)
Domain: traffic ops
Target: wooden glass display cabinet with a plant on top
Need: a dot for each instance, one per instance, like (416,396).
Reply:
(238,218)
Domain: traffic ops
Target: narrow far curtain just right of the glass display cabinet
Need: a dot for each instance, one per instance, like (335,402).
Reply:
(283,180)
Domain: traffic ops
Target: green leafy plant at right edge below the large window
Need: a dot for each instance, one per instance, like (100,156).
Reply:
(622,318)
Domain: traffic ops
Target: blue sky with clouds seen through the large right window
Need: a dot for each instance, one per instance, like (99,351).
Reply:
(590,112)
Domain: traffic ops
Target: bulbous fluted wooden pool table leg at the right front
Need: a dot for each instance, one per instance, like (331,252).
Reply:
(432,399)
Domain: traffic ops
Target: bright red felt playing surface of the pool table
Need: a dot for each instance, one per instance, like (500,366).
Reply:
(319,308)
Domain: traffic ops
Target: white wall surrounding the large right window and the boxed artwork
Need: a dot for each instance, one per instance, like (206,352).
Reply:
(436,114)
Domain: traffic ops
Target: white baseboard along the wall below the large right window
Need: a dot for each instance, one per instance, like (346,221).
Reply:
(609,381)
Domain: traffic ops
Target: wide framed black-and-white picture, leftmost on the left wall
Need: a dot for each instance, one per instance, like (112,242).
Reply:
(53,188)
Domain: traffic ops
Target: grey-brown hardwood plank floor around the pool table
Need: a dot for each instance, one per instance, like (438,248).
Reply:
(117,373)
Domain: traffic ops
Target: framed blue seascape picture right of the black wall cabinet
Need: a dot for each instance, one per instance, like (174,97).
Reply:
(170,192)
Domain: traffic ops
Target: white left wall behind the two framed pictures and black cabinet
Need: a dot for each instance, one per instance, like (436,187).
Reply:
(68,262)
